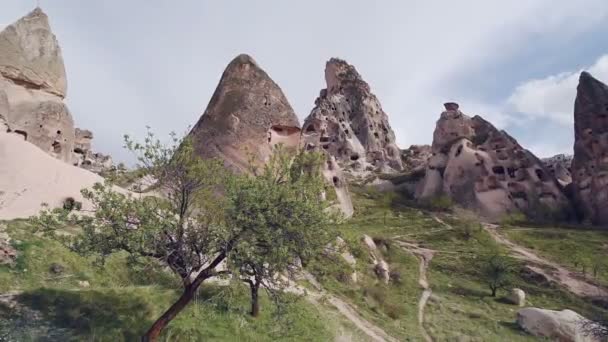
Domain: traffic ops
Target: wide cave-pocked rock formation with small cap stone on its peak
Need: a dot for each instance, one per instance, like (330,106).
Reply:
(486,170)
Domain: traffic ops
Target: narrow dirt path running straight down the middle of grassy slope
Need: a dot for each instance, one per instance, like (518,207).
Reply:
(425,256)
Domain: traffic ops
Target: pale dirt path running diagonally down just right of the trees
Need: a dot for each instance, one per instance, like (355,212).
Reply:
(315,296)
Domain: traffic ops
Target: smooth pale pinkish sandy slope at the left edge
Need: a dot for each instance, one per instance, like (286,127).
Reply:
(29,177)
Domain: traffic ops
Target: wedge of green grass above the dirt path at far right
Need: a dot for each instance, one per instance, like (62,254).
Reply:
(579,249)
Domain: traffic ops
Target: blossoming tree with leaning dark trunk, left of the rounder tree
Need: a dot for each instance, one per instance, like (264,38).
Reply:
(182,226)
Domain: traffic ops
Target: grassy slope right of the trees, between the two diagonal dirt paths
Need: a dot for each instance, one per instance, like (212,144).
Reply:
(461,307)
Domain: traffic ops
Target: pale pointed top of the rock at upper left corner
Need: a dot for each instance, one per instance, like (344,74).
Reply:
(30,54)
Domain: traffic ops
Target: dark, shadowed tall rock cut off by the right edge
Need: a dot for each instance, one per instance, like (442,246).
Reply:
(590,164)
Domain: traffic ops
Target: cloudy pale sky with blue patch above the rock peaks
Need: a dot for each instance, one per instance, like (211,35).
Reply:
(132,64)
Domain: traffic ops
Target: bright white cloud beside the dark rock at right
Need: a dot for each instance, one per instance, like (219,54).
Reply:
(553,97)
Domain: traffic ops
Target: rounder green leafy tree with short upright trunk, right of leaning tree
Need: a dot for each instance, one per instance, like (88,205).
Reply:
(281,203)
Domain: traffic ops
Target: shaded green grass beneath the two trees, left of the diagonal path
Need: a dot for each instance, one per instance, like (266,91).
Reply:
(122,302)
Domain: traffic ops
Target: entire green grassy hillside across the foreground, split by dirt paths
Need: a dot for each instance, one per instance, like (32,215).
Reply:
(122,301)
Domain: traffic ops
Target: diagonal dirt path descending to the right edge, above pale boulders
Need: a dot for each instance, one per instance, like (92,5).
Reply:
(551,270)
